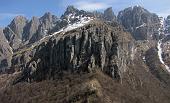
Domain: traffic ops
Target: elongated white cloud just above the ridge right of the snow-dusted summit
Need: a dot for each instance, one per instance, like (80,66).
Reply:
(91,6)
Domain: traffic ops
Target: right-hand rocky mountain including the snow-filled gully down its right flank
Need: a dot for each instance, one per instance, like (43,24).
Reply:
(149,31)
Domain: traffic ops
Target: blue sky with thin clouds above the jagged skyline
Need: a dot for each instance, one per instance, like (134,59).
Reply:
(28,8)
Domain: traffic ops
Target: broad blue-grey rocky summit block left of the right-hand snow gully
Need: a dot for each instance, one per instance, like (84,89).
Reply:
(141,23)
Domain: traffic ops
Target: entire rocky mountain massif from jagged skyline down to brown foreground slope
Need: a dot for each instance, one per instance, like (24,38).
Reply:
(86,57)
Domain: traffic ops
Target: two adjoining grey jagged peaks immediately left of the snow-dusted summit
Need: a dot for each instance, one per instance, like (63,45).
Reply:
(40,27)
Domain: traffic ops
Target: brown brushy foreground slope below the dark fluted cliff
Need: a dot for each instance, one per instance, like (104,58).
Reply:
(87,88)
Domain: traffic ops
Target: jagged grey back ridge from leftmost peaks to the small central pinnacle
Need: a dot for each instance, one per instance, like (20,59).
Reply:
(21,32)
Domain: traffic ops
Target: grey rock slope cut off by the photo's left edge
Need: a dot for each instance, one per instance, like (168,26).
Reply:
(5,53)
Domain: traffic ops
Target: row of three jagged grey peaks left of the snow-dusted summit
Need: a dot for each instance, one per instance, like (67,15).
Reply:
(21,31)
